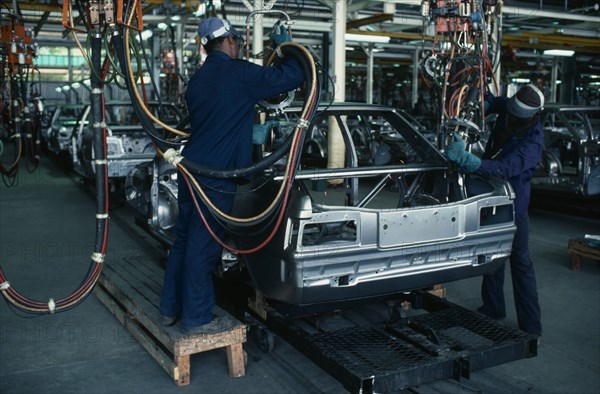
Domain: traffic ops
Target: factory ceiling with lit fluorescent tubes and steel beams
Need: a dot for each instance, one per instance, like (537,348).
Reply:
(528,27)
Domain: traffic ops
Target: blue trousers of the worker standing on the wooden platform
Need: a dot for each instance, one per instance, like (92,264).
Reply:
(188,288)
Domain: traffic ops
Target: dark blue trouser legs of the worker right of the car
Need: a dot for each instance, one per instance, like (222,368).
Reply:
(524,285)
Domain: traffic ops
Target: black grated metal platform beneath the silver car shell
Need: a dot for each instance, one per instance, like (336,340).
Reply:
(446,342)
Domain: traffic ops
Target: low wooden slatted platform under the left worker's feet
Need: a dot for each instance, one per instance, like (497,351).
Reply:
(130,289)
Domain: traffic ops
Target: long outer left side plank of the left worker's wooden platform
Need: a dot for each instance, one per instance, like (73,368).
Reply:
(146,341)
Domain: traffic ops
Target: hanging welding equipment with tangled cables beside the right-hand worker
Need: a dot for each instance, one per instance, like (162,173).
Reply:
(461,64)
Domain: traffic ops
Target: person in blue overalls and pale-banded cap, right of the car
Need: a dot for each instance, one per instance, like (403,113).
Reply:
(512,153)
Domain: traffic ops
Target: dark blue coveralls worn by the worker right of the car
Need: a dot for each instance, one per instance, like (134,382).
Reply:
(515,161)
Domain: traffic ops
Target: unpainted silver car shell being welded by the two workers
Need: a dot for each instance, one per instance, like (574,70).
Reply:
(393,216)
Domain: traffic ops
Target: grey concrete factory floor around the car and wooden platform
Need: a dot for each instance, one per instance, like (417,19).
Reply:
(47,231)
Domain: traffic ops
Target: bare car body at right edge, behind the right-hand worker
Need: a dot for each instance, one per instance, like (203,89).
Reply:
(570,162)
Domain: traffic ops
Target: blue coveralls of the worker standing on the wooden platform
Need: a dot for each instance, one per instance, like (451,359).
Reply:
(220,97)
